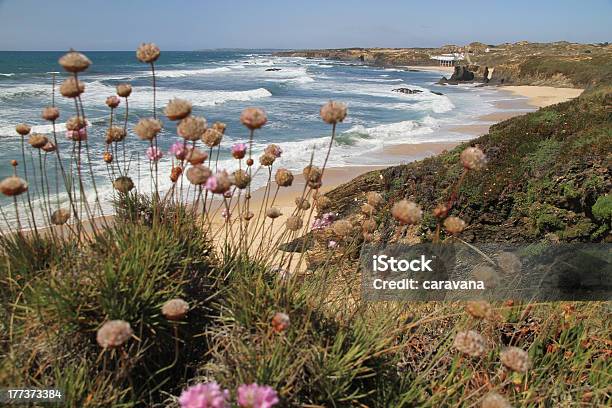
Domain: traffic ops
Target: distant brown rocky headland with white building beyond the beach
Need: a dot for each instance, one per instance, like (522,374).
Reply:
(554,64)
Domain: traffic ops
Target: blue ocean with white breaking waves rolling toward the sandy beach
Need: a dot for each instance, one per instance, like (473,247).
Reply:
(220,84)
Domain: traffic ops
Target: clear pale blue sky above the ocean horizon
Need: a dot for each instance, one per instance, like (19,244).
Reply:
(191,24)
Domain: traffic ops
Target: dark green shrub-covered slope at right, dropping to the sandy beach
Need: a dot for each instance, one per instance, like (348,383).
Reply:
(547,174)
